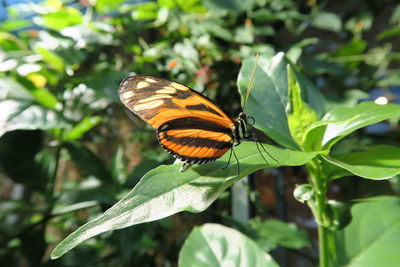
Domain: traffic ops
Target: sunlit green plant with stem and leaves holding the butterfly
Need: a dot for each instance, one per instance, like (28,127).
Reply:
(309,140)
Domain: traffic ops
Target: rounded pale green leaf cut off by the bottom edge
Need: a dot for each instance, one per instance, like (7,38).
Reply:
(218,245)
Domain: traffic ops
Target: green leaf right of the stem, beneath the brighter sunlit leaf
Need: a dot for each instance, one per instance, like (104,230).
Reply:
(380,162)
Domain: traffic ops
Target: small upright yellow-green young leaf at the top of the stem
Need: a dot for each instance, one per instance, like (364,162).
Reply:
(300,115)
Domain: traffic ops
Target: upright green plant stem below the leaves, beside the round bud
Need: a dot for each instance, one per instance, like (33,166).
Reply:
(318,207)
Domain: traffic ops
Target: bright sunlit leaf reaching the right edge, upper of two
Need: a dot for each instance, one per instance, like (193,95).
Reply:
(342,121)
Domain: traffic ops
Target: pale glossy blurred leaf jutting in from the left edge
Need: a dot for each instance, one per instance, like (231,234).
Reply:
(25,115)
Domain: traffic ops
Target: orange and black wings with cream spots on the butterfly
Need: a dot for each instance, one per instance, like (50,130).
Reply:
(189,126)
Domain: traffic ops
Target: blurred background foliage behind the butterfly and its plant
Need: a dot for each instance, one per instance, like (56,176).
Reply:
(68,150)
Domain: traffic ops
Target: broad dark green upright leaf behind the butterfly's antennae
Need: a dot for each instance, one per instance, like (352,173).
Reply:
(268,98)
